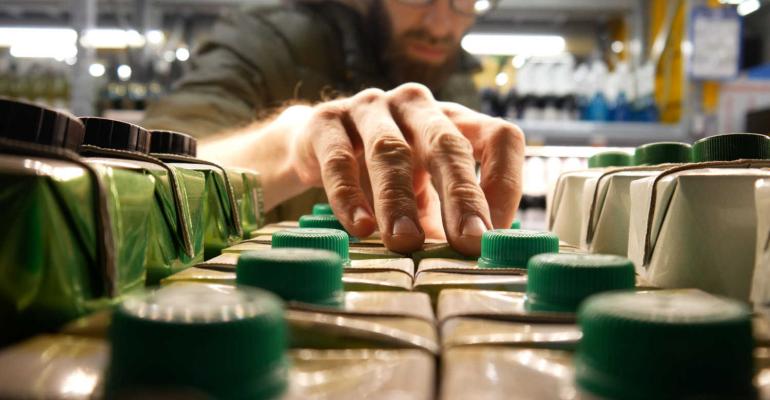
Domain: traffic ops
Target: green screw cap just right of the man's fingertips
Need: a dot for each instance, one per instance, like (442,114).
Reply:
(512,248)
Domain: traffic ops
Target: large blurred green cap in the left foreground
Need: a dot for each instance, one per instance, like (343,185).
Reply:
(223,342)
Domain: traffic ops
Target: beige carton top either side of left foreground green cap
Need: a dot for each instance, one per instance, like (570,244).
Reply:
(75,370)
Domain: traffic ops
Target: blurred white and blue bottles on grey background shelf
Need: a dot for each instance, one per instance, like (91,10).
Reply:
(556,102)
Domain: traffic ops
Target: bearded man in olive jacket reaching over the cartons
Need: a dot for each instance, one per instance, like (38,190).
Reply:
(371,100)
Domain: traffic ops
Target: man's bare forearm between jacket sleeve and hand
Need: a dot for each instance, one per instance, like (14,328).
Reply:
(265,147)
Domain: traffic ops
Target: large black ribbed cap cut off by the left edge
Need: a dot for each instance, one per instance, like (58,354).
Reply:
(36,124)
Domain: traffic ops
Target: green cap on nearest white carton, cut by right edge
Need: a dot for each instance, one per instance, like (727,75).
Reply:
(732,146)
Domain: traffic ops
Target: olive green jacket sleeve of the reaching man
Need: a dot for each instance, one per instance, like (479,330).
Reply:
(253,61)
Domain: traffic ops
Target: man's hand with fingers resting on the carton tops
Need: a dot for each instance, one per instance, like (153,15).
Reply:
(404,162)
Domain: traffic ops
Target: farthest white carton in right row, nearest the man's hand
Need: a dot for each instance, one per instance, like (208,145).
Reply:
(565,207)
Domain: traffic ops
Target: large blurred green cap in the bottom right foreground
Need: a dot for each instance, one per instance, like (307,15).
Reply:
(664,345)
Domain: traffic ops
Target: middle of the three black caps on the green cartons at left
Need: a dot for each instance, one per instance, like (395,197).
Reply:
(117,135)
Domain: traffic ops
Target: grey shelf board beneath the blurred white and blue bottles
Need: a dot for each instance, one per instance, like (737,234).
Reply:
(626,134)
